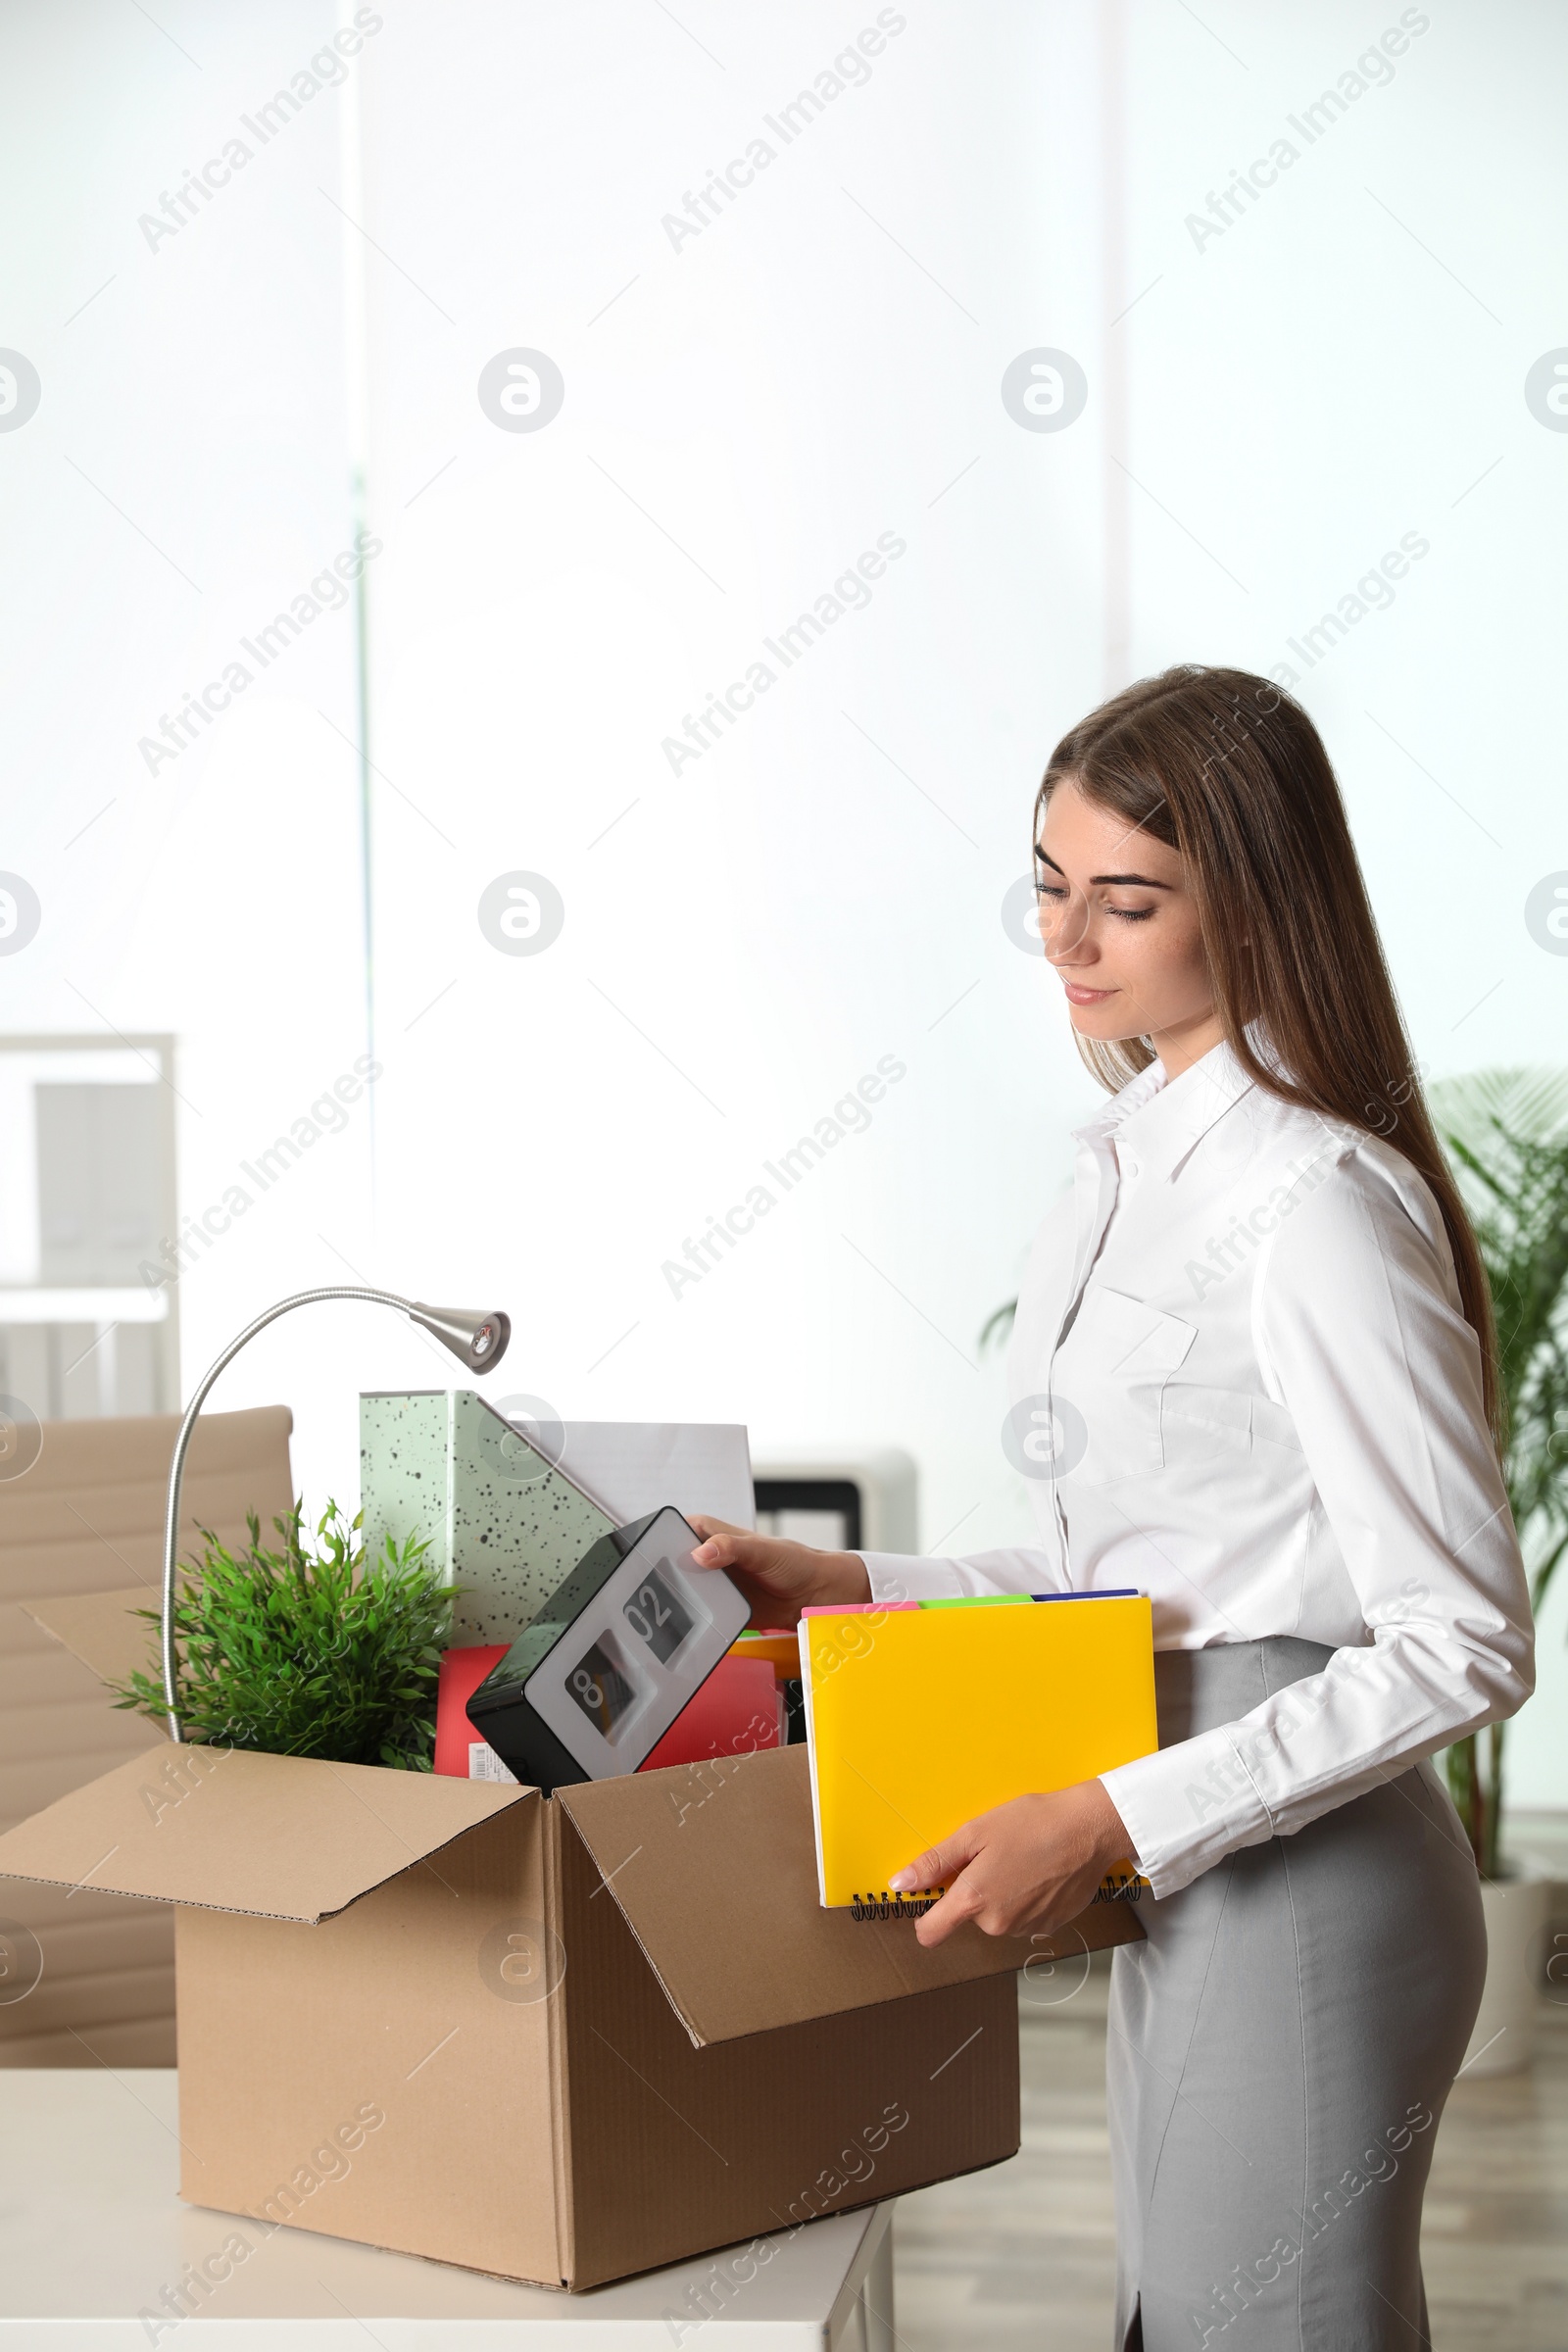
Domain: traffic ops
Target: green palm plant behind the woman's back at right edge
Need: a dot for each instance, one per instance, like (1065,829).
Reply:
(1508,1140)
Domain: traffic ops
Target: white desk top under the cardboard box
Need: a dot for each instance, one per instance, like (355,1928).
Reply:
(93,2236)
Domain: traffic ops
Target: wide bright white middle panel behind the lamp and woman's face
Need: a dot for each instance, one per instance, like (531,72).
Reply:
(753,930)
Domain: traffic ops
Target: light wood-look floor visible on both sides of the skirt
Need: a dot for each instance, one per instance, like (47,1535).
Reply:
(1024,2254)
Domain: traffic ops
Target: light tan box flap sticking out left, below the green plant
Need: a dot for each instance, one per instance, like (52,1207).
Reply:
(229,1829)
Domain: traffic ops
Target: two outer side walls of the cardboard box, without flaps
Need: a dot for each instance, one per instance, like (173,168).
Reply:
(521,2092)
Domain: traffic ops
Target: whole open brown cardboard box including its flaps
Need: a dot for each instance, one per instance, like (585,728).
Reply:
(554,2040)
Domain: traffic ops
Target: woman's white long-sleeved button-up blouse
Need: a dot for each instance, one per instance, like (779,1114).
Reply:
(1242,1384)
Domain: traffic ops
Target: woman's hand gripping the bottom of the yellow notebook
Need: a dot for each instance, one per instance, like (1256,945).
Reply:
(1026,1864)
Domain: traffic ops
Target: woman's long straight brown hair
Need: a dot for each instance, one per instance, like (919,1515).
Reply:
(1231,773)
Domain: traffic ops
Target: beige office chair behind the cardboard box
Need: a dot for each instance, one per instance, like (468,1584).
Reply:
(88,1523)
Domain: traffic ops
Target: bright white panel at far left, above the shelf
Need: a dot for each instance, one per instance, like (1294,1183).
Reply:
(185,481)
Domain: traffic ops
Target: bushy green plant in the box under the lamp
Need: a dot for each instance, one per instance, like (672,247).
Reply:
(309,1650)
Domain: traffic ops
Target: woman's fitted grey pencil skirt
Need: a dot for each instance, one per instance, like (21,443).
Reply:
(1280,2052)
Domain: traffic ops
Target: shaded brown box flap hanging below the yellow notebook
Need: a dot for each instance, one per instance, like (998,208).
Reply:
(716,1873)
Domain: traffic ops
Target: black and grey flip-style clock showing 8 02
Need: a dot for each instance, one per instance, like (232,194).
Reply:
(610,1659)
